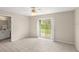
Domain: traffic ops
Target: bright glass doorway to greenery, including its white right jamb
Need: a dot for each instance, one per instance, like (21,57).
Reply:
(46,28)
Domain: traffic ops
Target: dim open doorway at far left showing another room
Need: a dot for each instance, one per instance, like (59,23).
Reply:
(5,27)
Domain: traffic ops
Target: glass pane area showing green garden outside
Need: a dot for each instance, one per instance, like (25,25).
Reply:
(45,28)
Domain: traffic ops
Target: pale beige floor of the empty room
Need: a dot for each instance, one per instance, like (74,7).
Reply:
(35,45)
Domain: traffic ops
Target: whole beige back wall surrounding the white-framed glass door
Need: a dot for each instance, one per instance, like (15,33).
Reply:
(64,26)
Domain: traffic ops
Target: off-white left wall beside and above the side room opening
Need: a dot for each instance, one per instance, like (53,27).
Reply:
(19,25)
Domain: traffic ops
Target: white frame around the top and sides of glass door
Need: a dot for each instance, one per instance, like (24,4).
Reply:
(52,26)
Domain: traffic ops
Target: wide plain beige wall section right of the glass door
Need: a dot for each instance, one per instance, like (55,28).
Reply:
(65,27)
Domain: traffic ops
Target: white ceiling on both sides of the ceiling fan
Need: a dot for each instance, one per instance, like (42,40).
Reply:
(40,10)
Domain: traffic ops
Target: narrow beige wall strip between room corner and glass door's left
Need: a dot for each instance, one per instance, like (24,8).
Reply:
(33,27)
